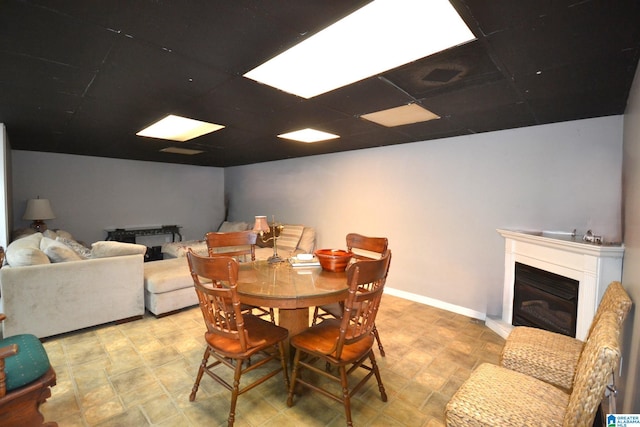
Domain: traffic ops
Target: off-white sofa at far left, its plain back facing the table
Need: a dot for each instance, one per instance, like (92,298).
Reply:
(50,298)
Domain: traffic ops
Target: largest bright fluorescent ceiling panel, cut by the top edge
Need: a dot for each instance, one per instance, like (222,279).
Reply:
(378,37)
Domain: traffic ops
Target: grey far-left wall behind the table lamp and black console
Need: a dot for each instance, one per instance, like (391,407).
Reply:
(89,194)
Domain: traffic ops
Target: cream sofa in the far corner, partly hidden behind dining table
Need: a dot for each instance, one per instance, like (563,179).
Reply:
(168,285)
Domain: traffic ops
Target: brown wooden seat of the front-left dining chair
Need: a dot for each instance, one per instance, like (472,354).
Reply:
(266,332)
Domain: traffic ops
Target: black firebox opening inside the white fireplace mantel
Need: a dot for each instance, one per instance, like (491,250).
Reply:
(544,300)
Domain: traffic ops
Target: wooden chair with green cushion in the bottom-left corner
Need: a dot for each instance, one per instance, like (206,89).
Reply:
(26,378)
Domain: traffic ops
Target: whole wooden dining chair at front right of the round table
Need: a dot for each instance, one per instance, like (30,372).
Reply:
(345,343)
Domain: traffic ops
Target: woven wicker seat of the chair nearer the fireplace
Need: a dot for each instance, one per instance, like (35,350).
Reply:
(545,355)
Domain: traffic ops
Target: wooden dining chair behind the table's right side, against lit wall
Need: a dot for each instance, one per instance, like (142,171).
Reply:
(363,248)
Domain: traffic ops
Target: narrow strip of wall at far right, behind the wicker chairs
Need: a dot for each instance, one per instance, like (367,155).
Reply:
(630,383)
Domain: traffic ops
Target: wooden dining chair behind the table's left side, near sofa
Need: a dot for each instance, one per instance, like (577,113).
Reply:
(239,245)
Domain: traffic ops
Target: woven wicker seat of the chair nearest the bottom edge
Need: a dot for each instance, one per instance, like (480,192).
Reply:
(496,396)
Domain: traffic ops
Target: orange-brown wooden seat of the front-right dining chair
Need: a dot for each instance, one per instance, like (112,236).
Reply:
(321,340)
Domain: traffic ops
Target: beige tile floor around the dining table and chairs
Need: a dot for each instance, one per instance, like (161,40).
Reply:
(141,373)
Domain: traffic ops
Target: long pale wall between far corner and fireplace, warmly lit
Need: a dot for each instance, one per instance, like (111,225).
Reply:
(440,202)
